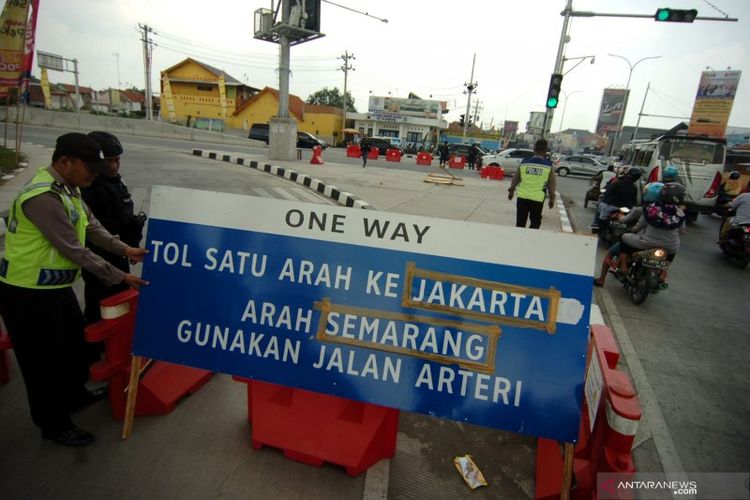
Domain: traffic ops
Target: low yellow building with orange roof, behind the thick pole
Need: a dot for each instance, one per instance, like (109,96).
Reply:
(321,121)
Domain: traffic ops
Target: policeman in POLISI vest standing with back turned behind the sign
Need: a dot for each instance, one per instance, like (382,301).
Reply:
(535,180)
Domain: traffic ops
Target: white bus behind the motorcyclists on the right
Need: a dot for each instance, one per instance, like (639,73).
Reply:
(699,159)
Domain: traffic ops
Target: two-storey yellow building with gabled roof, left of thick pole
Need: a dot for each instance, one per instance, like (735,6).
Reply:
(197,91)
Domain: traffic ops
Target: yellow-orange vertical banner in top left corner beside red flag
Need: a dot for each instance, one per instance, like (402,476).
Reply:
(12,41)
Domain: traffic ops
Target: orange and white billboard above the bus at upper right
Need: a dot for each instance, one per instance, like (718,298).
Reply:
(713,103)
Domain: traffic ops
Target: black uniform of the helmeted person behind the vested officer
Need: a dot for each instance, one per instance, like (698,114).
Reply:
(111,203)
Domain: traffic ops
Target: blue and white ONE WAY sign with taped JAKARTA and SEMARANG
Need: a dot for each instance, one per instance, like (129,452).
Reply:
(466,321)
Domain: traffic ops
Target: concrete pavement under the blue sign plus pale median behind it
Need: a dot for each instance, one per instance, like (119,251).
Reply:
(202,449)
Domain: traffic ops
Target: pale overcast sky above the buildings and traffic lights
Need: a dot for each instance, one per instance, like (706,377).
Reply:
(426,47)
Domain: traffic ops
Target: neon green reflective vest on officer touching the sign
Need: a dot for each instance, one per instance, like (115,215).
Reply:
(30,260)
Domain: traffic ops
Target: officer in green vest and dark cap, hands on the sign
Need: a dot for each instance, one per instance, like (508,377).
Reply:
(44,252)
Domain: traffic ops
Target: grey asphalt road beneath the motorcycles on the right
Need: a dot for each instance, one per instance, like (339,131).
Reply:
(691,343)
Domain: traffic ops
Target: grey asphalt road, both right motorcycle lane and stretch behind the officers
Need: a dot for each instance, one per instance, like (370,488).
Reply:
(689,341)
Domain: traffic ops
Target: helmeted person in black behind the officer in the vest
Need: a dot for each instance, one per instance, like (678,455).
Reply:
(110,201)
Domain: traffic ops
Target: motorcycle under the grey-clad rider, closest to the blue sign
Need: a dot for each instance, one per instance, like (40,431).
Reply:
(643,276)
